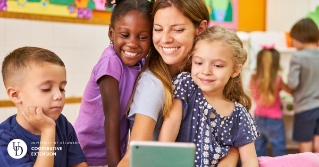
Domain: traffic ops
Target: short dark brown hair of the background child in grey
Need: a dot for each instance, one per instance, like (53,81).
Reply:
(305,31)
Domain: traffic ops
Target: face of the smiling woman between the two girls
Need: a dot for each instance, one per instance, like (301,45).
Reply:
(173,35)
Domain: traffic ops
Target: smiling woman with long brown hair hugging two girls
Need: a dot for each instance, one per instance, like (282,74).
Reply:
(176,24)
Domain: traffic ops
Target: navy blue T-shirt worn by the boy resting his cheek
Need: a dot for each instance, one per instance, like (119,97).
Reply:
(65,138)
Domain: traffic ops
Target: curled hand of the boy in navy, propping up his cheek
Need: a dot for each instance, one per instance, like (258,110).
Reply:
(36,117)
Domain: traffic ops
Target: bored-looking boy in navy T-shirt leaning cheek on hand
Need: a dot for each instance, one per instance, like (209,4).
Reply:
(38,135)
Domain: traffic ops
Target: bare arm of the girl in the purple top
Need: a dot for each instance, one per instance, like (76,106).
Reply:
(109,88)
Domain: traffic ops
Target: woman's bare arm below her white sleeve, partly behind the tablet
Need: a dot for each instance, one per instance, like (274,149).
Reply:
(143,129)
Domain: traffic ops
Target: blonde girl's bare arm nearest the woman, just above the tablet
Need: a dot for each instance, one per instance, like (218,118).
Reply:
(172,123)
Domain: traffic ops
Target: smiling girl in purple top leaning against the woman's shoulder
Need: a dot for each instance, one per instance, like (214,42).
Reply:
(102,126)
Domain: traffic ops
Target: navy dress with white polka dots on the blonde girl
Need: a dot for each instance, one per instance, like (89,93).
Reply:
(212,137)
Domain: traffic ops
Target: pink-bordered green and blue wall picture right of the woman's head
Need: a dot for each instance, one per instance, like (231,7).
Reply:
(223,13)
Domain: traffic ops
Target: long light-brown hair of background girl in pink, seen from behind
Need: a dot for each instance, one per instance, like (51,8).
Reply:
(266,75)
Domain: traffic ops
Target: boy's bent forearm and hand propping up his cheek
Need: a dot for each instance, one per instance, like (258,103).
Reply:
(35,117)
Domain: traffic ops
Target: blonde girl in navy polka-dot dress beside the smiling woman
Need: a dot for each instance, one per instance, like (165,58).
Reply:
(210,107)
